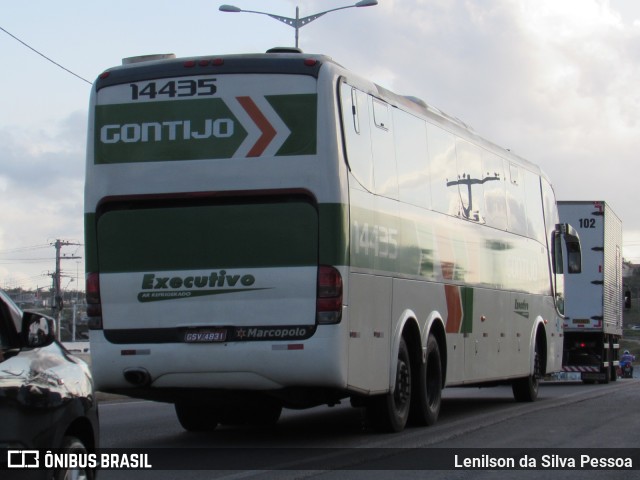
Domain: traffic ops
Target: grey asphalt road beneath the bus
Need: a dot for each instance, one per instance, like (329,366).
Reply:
(566,416)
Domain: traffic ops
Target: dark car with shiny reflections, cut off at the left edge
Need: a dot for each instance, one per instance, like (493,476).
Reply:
(47,400)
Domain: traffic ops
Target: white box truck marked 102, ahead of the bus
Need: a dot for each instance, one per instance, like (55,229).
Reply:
(594,297)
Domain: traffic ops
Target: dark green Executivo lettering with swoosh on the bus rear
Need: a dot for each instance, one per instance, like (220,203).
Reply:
(156,287)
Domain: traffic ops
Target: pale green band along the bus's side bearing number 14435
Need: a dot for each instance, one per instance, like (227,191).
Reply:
(441,248)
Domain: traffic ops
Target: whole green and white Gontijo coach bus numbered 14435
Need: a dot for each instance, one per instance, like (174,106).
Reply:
(273,230)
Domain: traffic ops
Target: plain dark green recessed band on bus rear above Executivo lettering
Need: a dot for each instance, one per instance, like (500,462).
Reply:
(207,237)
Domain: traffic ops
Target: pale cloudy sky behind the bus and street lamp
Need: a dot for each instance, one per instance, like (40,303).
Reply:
(555,81)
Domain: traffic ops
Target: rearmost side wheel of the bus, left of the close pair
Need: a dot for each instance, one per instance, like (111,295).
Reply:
(390,412)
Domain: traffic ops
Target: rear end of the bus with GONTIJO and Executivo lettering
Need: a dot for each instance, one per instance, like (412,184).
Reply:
(213,268)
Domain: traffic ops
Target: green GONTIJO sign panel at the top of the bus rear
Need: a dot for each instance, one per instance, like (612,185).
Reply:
(197,129)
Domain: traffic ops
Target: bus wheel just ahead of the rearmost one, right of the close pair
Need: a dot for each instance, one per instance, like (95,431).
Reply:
(427,395)
